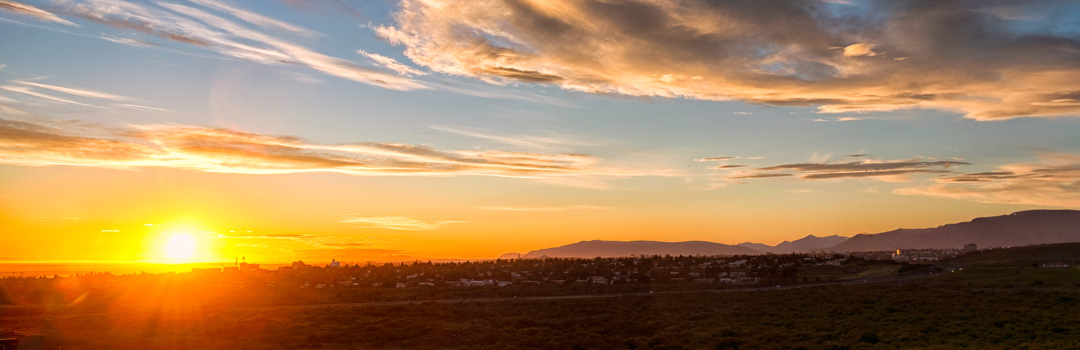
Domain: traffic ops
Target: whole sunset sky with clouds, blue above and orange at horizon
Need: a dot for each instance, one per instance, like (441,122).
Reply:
(413,130)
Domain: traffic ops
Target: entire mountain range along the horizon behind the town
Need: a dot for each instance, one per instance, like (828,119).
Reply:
(1016,230)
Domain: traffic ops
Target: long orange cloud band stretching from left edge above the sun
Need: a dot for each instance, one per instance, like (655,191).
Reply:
(221,151)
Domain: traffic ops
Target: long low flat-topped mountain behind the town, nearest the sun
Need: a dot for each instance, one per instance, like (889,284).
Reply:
(616,249)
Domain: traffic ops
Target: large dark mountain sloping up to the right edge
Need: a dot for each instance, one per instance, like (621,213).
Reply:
(1016,230)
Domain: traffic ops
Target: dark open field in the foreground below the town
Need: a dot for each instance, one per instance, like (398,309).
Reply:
(991,304)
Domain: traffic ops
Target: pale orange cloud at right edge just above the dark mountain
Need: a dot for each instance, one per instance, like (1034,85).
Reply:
(1054,181)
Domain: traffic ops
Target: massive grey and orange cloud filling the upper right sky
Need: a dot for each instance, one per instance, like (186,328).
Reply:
(782,55)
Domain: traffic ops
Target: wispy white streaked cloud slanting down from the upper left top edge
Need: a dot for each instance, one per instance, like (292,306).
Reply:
(207,31)
